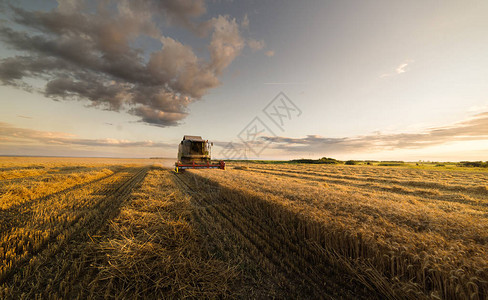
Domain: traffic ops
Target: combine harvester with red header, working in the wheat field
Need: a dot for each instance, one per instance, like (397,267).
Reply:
(195,153)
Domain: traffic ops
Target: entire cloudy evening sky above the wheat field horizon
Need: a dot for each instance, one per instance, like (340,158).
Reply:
(380,80)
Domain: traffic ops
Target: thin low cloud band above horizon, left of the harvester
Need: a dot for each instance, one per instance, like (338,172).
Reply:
(10,134)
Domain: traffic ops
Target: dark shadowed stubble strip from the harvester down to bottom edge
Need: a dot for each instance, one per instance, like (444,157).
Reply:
(289,247)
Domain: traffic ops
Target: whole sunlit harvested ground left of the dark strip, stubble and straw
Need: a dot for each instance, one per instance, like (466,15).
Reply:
(125,235)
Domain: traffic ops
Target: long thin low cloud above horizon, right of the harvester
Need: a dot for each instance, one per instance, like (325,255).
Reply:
(470,130)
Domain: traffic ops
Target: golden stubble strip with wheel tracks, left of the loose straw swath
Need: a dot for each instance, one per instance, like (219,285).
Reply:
(46,242)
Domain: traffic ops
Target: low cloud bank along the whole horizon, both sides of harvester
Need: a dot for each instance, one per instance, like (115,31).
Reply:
(473,129)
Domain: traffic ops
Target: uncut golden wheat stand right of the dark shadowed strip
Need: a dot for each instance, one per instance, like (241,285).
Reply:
(416,243)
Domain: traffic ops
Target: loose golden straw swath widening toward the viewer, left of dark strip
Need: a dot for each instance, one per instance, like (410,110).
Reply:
(153,250)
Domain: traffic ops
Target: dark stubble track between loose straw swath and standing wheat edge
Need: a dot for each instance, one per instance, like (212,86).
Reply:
(237,230)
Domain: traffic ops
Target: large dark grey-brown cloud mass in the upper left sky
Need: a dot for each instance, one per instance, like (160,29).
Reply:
(91,55)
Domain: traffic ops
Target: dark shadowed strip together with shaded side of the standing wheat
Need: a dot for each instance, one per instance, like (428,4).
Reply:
(316,253)
